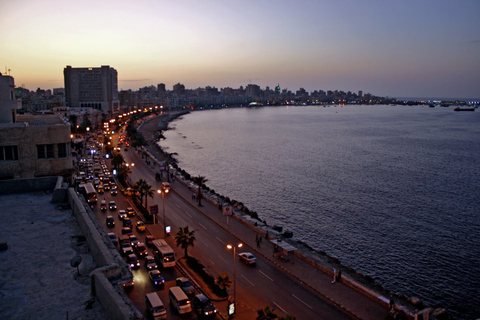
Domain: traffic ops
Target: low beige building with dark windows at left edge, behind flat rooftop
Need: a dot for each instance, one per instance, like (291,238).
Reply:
(31,145)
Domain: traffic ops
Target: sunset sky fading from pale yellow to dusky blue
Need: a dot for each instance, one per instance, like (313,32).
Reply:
(427,48)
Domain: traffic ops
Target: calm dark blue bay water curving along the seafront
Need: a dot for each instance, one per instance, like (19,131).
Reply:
(391,191)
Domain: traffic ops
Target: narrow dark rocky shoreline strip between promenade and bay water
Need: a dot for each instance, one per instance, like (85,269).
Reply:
(153,128)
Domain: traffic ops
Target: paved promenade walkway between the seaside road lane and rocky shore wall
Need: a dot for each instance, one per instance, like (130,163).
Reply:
(353,298)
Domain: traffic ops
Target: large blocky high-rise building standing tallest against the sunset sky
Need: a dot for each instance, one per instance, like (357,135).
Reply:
(95,88)
